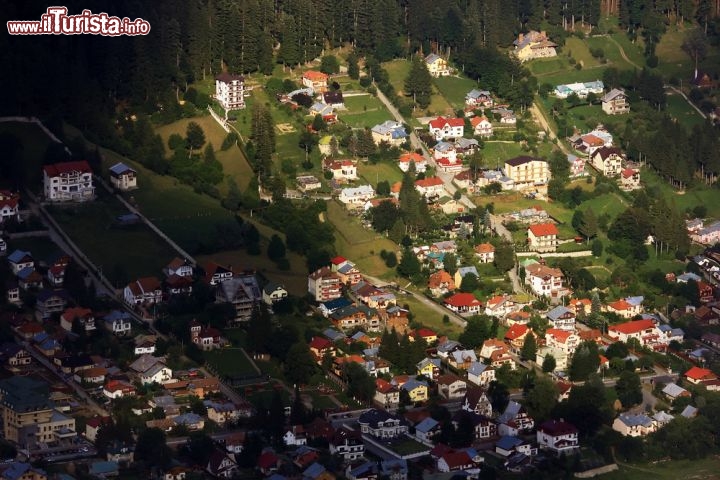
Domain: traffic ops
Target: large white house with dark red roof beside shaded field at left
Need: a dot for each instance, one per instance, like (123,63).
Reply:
(68,181)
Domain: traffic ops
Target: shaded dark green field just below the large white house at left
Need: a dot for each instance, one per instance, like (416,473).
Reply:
(123,253)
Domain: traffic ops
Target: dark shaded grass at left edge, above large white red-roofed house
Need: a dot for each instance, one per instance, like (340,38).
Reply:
(34,144)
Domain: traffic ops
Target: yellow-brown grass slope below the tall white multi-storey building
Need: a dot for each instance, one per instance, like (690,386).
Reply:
(233,160)
